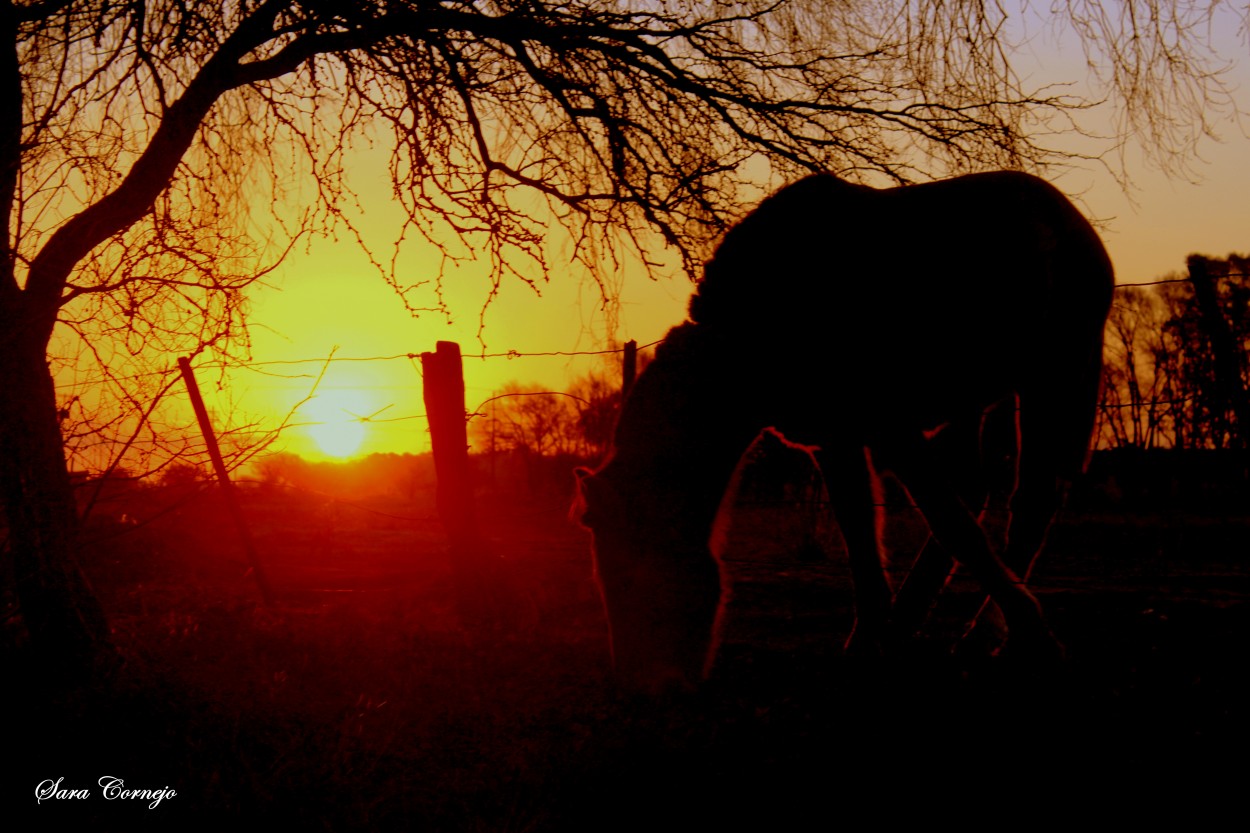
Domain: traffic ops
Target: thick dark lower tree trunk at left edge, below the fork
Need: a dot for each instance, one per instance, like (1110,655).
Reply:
(63,618)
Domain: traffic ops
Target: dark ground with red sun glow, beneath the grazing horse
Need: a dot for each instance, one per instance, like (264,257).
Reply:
(363,701)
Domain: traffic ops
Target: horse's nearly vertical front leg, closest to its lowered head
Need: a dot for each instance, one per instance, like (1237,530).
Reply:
(854,493)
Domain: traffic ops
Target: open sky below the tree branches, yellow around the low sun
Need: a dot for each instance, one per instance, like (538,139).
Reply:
(331,297)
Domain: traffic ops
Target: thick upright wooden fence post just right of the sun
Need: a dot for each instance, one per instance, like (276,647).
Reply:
(444,393)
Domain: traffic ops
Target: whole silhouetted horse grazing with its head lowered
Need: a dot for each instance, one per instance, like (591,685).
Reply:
(867,325)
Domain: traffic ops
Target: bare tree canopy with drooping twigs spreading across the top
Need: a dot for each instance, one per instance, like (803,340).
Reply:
(153,134)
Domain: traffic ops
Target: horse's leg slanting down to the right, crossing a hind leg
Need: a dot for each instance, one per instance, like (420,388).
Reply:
(958,532)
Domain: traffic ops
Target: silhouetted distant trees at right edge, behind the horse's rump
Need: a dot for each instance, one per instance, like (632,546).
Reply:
(1176,370)
